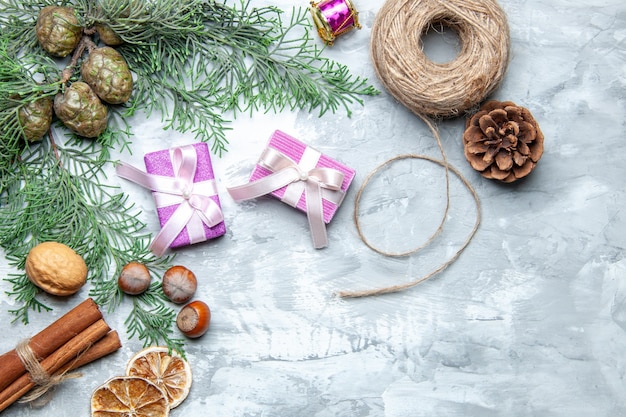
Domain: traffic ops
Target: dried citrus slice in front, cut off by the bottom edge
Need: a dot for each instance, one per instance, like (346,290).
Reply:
(129,396)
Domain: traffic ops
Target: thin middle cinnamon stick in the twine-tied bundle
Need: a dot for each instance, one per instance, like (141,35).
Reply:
(51,364)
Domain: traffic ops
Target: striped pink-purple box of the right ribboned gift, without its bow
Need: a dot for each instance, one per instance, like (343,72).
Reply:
(294,149)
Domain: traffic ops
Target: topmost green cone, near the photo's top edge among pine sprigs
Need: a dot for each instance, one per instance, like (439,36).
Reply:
(58,30)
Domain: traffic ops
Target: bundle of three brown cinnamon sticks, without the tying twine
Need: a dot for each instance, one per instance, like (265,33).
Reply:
(77,338)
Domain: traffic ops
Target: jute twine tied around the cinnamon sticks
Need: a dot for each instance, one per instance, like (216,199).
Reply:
(44,382)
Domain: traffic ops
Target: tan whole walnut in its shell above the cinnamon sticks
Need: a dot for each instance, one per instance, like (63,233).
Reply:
(56,268)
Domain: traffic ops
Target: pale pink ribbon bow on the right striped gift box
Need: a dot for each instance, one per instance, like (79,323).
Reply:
(303,177)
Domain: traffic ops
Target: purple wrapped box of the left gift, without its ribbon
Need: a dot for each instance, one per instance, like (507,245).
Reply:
(160,163)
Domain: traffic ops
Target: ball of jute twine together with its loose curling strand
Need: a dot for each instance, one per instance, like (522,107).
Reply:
(431,90)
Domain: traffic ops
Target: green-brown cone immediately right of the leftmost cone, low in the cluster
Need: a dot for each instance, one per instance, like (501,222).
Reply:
(80,109)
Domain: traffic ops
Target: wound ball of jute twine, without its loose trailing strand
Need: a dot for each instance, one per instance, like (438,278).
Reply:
(440,89)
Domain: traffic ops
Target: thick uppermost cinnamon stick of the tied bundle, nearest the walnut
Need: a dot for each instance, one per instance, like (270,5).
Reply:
(50,339)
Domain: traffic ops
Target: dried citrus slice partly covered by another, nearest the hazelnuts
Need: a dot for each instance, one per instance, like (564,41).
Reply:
(168,371)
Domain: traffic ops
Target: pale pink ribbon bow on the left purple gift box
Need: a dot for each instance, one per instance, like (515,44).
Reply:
(195,205)
